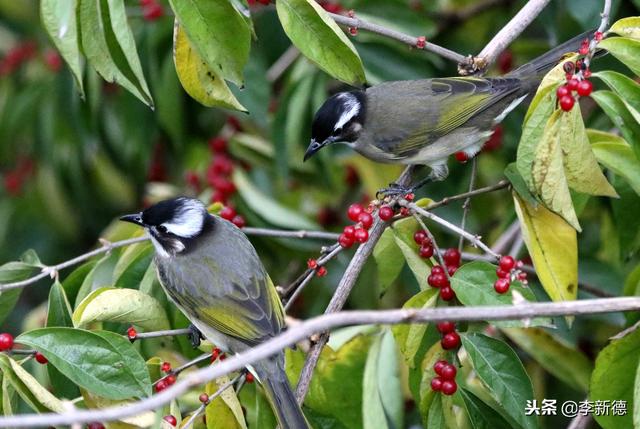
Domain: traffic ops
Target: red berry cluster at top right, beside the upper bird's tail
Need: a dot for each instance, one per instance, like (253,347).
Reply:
(577,75)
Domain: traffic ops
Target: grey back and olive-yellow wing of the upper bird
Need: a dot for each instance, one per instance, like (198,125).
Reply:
(441,105)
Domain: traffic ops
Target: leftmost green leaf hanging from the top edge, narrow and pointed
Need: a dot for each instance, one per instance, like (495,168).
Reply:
(59,19)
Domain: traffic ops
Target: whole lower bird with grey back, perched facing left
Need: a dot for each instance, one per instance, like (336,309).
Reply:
(212,272)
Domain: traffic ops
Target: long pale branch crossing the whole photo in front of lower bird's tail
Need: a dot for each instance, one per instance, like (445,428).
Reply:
(320,324)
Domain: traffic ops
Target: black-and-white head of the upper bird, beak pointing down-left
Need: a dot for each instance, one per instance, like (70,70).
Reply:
(340,119)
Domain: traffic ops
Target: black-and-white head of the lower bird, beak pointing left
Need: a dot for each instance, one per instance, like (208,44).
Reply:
(172,224)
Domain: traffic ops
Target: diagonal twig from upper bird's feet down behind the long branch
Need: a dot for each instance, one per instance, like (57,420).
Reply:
(342,292)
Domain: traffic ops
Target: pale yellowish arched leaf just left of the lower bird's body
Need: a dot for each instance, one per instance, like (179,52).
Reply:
(128,306)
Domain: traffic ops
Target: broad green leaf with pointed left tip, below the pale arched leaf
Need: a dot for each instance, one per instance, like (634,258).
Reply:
(101,362)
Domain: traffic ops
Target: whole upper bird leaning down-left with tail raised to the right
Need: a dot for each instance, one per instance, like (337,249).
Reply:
(424,121)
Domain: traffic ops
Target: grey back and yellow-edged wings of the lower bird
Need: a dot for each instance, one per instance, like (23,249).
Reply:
(225,286)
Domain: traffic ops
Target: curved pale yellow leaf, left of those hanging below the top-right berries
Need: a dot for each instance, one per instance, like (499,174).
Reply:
(549,179)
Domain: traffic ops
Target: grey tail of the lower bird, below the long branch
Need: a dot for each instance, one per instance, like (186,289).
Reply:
(279,393)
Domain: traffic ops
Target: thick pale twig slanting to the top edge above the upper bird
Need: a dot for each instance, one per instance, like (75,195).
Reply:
(509,33)
